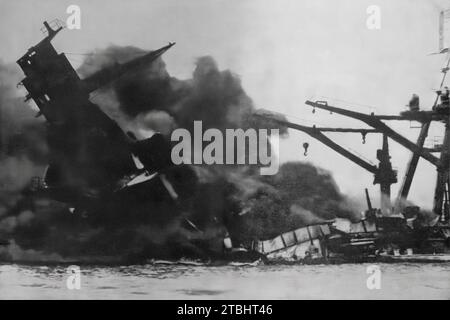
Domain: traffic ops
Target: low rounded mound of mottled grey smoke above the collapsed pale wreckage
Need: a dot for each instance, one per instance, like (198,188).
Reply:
(300,194)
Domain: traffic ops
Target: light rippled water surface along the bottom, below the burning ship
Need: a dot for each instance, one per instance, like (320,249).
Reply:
(346,281)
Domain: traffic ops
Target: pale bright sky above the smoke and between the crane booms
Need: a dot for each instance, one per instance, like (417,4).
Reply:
(285,52)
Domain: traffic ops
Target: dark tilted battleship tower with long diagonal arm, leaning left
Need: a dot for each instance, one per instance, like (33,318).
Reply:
(92,161)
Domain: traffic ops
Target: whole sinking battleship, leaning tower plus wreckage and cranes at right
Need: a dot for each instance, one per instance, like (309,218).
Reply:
(96,167)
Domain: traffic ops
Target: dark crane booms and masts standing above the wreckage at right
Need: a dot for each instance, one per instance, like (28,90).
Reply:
(385,176)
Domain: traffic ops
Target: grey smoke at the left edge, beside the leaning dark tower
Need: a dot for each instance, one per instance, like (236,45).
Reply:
(23,154)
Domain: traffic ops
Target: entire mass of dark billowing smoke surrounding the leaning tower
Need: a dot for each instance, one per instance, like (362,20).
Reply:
(216,198)
